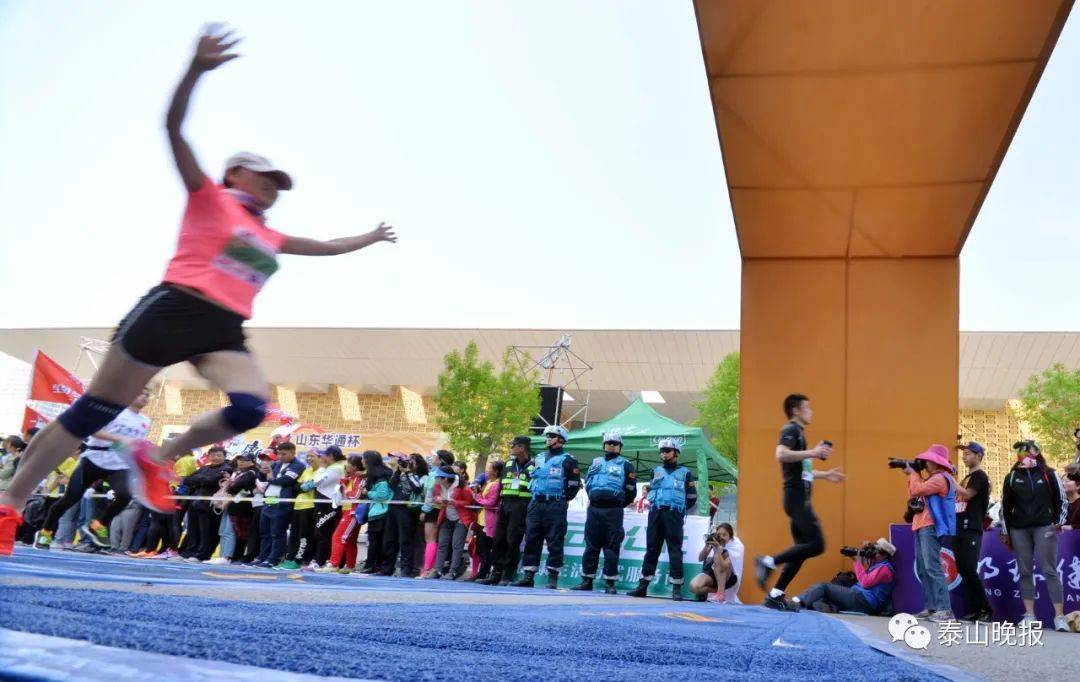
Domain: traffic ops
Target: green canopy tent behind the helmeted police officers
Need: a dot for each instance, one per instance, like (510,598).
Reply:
(642,427)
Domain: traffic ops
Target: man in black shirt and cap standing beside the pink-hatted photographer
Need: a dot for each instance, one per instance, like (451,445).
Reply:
(973,500)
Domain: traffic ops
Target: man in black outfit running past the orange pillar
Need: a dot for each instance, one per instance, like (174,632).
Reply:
(798,469)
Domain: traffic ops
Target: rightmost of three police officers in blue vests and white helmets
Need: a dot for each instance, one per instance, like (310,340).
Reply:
(672,493)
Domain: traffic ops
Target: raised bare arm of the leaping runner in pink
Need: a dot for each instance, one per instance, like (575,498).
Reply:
(211,52)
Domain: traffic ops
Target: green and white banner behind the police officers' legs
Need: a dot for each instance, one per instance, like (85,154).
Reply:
(632,554)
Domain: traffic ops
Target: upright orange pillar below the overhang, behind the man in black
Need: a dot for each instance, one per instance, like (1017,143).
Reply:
(875,345)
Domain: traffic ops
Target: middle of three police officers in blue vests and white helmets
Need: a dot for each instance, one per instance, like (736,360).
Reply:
(612,485)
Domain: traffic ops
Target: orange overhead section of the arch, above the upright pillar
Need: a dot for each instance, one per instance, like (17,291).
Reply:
(870,128)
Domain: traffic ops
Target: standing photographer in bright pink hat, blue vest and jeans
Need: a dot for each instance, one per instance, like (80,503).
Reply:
(935,500)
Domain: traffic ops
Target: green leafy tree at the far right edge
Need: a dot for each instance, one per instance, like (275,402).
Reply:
(1050,404)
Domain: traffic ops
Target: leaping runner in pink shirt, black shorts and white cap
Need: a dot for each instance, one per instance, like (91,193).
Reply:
(224,257)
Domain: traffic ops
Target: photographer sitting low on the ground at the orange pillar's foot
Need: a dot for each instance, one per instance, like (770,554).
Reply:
(874,570)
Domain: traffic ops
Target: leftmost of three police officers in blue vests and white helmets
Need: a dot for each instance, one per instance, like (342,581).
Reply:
(555,483)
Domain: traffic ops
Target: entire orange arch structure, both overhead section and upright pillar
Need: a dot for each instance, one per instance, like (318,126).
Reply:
(860,139)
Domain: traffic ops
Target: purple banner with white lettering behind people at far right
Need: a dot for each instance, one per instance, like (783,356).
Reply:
(997,568)
